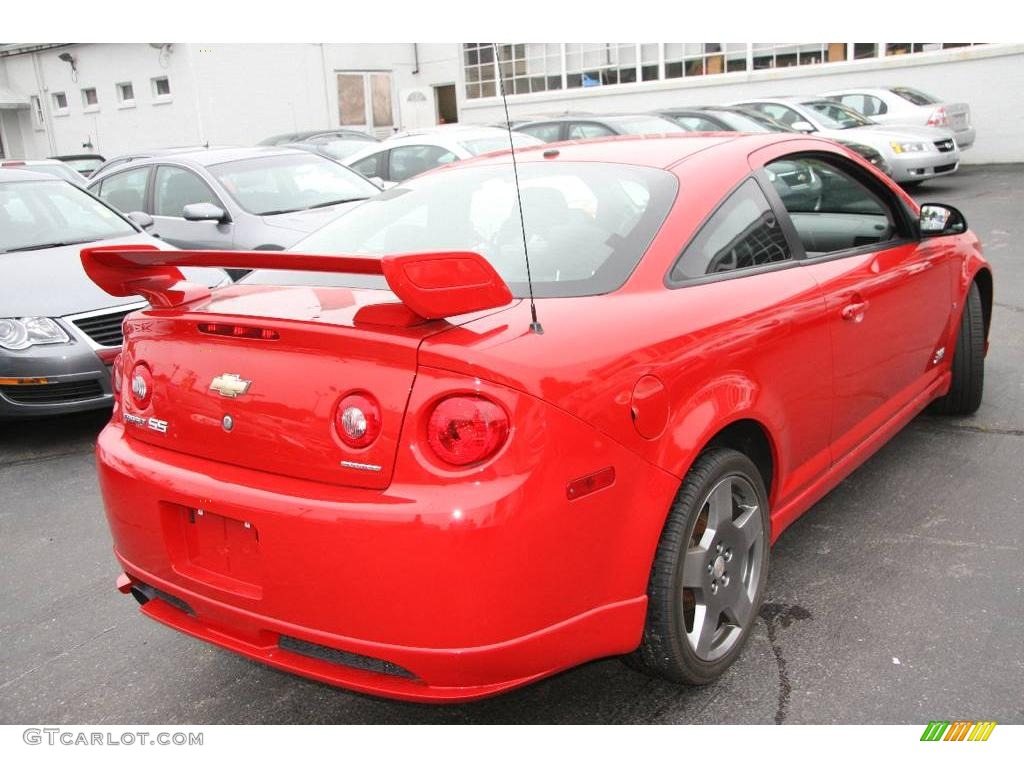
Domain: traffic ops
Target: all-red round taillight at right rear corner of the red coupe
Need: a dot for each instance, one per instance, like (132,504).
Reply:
(467,430)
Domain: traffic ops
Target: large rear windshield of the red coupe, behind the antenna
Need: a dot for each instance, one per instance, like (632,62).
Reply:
(588,225)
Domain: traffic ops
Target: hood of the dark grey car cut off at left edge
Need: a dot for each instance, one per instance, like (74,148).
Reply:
(52,282)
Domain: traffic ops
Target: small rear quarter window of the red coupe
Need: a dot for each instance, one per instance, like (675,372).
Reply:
(742,234)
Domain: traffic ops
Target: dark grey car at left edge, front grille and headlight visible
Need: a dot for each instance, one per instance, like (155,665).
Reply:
(59,331)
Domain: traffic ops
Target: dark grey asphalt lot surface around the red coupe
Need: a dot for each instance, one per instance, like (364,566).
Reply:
(900,599)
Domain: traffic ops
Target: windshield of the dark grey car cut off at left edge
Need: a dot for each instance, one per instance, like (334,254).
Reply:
(46,215)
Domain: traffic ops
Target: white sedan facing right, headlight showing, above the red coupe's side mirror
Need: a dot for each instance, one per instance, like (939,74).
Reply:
(914,154)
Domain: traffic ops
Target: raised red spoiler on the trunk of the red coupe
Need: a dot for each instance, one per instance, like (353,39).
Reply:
(432,285)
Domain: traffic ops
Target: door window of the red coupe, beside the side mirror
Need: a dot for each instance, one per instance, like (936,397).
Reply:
(831,209)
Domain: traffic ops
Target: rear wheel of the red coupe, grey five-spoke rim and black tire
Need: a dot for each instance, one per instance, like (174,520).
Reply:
(691,540)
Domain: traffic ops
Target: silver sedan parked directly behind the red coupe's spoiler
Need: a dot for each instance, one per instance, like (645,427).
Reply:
(263,198)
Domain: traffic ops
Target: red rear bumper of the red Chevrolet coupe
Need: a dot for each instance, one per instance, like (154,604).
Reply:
(451,593)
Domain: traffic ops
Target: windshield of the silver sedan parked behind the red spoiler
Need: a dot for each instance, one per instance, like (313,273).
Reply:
(285,184)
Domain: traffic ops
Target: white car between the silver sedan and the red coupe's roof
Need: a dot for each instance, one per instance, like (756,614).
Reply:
(414,153)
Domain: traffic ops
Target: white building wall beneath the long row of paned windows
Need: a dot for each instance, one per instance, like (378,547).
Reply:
(990,78)
